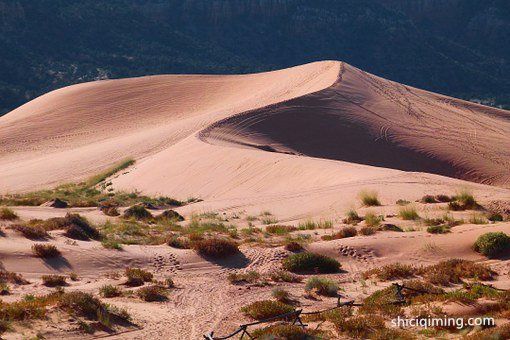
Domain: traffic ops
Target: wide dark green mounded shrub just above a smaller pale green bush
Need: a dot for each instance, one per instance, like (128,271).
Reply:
(311,262)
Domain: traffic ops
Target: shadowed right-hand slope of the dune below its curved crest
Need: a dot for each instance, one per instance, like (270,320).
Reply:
(369,120)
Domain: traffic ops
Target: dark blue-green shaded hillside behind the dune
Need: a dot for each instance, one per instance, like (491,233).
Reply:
(457,47)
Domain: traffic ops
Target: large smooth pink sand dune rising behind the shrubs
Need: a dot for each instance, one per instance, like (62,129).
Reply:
(286,140)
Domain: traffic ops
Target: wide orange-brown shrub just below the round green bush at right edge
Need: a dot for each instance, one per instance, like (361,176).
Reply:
(454,270)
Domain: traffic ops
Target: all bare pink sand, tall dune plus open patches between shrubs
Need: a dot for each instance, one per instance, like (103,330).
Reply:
(300,143)
